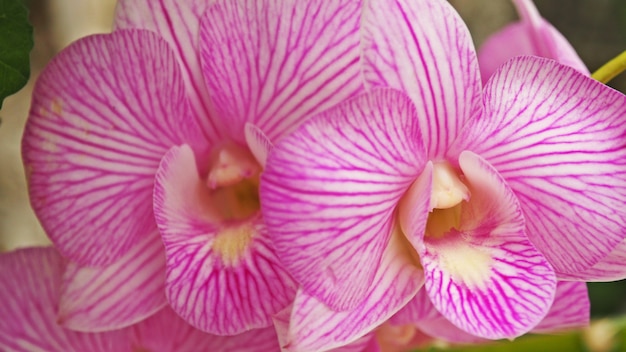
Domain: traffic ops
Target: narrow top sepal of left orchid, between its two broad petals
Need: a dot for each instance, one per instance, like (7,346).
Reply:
(178,22)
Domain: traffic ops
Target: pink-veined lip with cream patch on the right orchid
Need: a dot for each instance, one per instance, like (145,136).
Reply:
(486,277)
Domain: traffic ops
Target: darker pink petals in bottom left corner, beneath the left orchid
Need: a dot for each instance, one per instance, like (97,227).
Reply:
(31,281)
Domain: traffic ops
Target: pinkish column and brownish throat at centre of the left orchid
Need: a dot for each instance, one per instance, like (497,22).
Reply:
(233,182)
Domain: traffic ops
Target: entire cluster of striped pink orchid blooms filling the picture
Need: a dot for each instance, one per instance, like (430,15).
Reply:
(346,175)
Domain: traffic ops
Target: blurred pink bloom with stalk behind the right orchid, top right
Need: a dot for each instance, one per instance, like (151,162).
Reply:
(532,35)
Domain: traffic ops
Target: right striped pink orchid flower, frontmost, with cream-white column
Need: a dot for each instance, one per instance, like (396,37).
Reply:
(485,196)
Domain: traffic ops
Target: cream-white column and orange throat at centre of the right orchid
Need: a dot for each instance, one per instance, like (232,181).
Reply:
(447,198)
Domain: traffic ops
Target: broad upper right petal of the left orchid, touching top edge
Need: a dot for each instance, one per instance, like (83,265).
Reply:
(274,62)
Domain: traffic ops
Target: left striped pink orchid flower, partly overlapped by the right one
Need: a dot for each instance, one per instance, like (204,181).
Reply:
(144,146)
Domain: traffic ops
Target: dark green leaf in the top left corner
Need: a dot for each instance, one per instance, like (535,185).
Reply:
(16,41)
